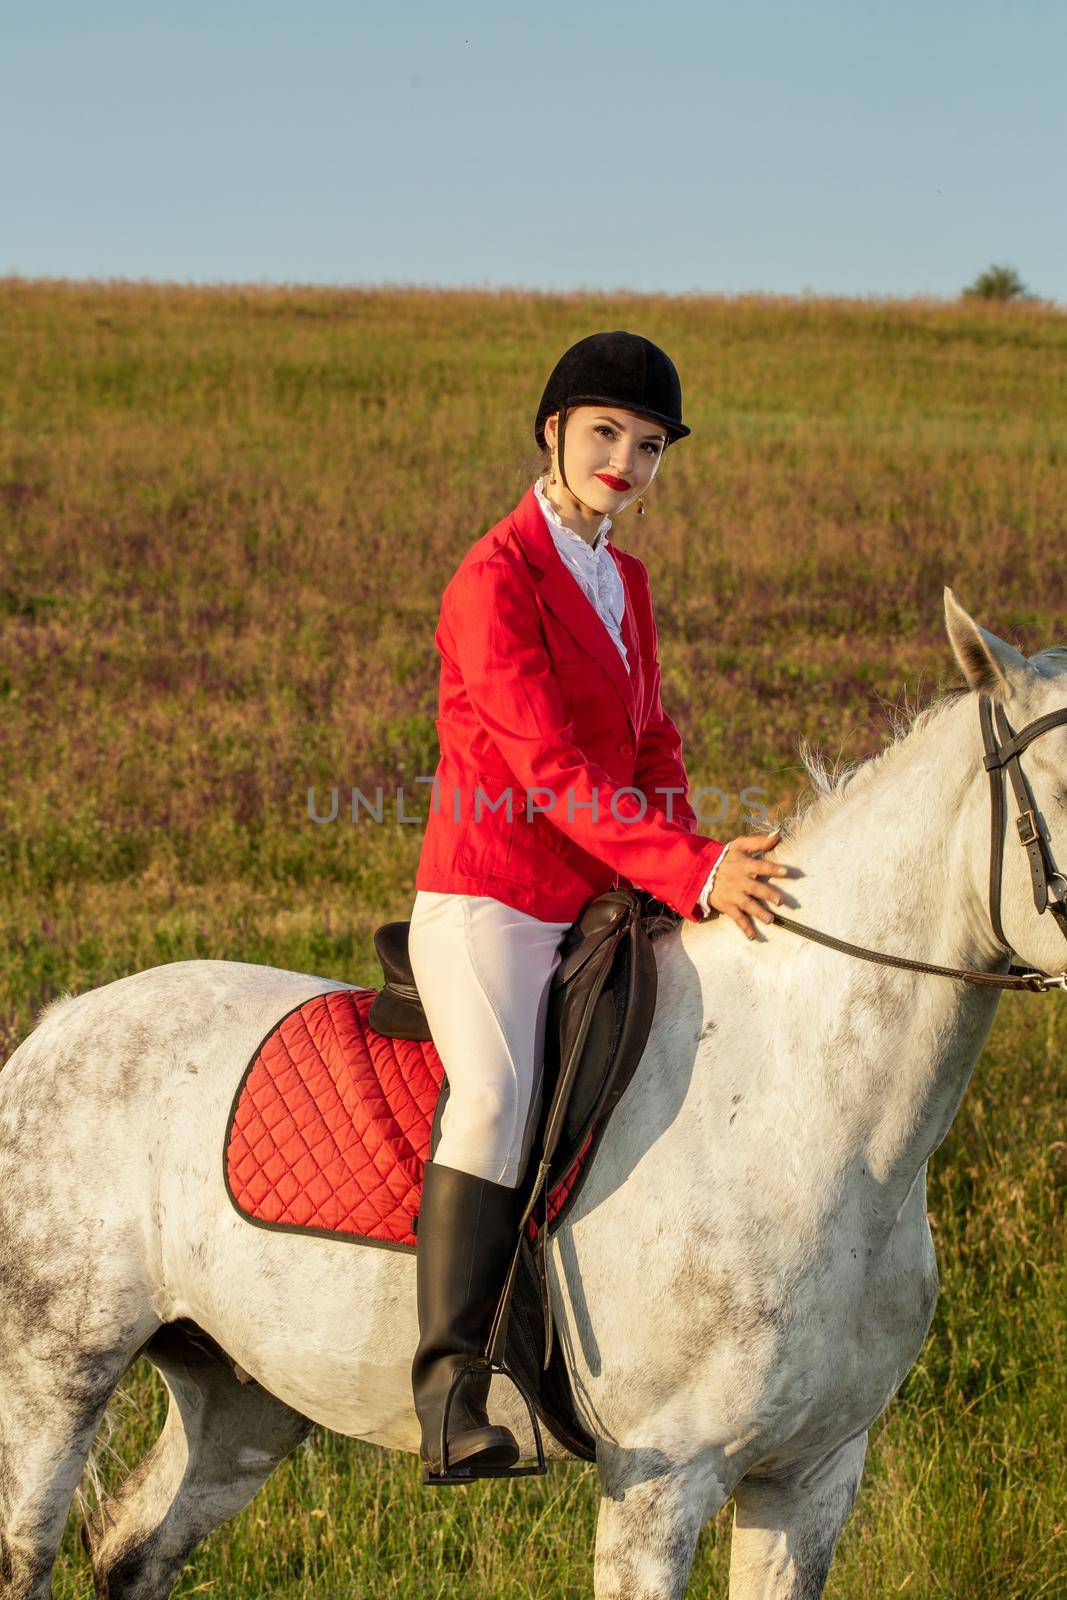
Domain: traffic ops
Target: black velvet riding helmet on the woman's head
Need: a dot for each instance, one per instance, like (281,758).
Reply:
(613,369)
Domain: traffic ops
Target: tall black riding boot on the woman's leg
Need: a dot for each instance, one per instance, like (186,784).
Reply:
(466,1236)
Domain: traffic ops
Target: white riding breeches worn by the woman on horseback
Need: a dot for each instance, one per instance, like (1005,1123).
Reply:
(482,970)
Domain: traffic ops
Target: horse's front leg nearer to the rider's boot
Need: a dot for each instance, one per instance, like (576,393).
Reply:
(650,1518)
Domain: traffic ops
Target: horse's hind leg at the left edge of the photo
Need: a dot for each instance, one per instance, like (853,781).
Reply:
(50,1410)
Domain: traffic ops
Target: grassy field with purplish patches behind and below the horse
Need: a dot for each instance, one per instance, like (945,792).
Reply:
(226,519)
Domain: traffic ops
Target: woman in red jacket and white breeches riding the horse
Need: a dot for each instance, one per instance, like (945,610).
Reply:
(561,777)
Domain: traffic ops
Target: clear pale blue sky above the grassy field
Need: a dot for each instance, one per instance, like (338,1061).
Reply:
(786,148)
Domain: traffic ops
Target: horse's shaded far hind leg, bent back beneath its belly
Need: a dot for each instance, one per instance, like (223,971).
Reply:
(220,1444)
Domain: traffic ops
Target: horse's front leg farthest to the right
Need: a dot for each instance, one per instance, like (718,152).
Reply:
(786,1527)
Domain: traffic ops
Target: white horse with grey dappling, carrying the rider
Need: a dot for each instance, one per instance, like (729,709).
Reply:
(741,1287)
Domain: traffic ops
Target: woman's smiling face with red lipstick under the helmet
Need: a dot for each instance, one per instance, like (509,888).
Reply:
(609,455)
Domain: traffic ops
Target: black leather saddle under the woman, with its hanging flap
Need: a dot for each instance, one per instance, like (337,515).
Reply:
(602,1002)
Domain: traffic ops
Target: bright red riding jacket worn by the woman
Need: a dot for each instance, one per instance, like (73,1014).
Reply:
(545,738)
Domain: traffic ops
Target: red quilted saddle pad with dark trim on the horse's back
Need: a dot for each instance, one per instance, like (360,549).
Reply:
(330,1127)
